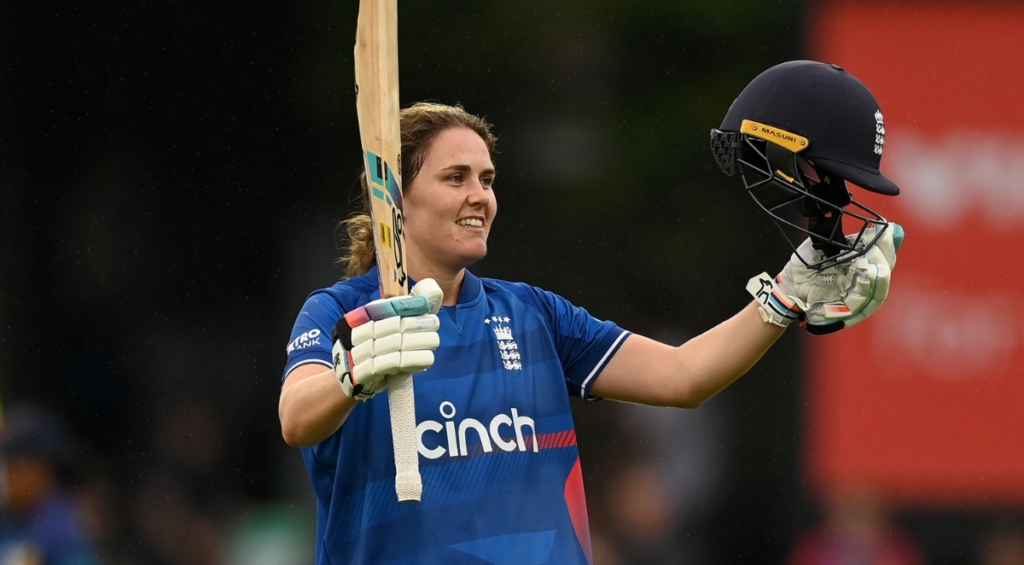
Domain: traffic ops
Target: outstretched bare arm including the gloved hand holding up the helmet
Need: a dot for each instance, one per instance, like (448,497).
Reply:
(651,373)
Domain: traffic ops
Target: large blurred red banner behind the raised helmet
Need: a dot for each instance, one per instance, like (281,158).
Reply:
(926,401)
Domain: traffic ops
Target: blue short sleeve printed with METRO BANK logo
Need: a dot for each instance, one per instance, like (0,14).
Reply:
(311,339)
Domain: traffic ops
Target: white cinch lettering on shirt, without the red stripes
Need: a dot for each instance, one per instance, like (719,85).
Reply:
(490,436)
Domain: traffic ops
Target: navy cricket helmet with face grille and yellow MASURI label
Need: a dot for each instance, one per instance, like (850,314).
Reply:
(796,135)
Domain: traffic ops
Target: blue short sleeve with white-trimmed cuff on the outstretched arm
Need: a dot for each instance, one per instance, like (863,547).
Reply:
(585,344)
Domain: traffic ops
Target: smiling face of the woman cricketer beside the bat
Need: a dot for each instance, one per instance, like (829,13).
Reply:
(450,206)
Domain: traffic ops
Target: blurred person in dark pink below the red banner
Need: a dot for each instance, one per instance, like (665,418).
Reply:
(858,532)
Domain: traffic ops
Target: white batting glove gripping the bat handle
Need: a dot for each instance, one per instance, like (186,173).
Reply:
(388,337)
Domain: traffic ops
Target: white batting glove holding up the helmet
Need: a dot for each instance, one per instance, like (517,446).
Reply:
(832,299)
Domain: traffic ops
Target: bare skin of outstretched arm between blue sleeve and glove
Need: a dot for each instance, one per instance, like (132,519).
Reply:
(647,372)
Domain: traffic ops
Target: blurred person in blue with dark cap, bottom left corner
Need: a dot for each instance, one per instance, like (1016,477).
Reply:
(41,524)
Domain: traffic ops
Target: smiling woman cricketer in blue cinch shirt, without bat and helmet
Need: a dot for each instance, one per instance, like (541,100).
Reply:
(497,365)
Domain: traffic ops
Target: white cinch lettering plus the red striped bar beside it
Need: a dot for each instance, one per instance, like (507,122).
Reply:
(509,432)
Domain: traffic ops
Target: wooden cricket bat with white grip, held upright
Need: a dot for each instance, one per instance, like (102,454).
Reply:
(377,107)
